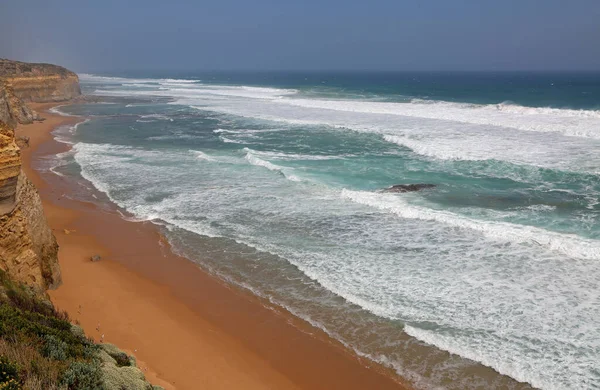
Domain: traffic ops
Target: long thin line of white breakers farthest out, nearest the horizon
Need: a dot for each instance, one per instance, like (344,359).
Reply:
(578,123)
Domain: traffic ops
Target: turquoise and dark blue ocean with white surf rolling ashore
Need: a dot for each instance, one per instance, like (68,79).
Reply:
(273,182)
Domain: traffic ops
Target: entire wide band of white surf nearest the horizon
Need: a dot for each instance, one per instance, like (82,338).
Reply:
(552,138)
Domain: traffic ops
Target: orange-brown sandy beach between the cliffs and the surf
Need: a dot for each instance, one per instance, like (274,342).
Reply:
(187,328)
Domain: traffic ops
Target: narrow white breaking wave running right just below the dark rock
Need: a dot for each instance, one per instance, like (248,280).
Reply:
(569,244)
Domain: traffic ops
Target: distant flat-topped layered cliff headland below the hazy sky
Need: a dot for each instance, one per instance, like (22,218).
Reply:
(40,82)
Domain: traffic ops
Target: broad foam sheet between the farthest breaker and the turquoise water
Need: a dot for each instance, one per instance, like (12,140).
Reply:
(441,138)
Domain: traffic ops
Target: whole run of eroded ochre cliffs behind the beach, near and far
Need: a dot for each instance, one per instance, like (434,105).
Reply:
(28,249)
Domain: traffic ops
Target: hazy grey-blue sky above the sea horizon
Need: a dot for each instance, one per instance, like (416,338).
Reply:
(391,35)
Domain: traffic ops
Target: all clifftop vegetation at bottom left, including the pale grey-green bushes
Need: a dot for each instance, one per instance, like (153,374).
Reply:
(41,350)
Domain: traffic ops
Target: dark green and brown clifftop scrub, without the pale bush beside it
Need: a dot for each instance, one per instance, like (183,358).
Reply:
(48,352)
